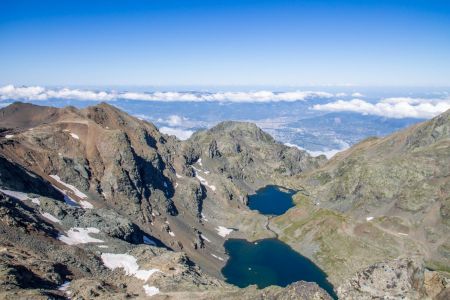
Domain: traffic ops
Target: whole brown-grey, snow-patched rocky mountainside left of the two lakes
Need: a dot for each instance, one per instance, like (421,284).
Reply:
(78,187)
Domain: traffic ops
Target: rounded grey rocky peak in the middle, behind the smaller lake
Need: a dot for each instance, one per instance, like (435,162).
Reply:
(247,154)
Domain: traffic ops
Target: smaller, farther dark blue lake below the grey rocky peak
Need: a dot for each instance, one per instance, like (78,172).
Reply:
(271,200)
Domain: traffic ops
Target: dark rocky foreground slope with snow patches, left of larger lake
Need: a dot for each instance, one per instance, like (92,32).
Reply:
(49,249)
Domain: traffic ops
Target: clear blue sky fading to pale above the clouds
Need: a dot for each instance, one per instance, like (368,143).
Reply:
(273,43)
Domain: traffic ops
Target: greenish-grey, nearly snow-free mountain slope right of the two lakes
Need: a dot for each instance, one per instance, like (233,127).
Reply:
(381,199)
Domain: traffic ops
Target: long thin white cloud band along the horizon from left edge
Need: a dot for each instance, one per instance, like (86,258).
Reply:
(11,92)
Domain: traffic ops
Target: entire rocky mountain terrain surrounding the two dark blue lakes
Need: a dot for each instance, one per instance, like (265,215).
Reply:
(102,200)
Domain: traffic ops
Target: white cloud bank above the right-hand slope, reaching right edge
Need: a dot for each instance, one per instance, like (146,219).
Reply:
(391,107)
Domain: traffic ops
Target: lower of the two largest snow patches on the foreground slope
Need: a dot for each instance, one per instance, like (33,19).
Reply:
(128,263)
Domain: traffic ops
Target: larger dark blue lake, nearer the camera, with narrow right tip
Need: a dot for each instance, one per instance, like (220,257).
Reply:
(269,262)
